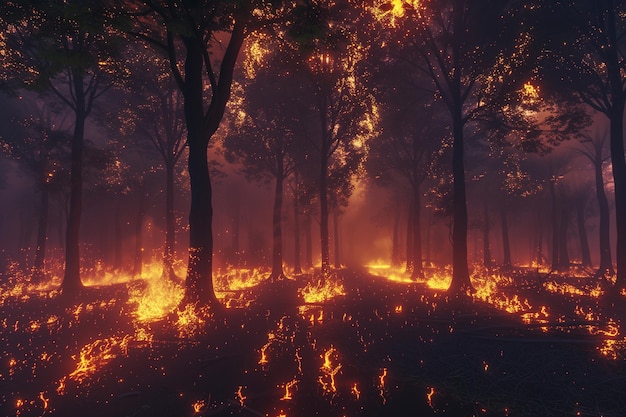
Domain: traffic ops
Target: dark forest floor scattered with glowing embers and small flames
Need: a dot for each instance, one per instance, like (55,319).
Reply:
(383,348)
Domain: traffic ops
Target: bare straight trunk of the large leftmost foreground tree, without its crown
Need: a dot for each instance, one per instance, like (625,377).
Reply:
(72,284)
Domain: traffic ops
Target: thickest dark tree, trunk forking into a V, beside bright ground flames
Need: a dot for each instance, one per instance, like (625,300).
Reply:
(202,40)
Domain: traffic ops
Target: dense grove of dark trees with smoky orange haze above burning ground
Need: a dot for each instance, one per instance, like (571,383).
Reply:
(464,116)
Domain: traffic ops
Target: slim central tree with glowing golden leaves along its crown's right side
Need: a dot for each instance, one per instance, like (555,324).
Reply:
(344,114)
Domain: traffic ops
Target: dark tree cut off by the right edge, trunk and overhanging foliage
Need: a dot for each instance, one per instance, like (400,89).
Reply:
(591,65)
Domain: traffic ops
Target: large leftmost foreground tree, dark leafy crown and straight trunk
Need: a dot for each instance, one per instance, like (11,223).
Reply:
(67,48)
